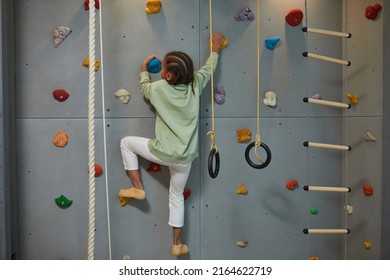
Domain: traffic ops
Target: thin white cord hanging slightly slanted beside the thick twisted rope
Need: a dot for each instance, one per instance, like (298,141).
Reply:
(104,130)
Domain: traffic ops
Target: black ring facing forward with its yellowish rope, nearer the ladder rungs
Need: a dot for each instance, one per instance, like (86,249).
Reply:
(258,142)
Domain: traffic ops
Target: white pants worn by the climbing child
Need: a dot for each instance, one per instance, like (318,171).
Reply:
(132,146)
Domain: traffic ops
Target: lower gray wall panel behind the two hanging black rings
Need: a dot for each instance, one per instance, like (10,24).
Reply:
(269,212)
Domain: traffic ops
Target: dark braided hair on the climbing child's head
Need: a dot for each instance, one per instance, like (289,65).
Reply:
(181,67)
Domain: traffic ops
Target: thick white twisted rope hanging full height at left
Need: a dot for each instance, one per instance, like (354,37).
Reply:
(91,132)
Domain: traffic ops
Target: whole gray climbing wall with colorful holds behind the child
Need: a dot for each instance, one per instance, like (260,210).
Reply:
(270,217)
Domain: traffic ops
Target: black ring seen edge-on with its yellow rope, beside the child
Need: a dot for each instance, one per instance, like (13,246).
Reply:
(213,149)
